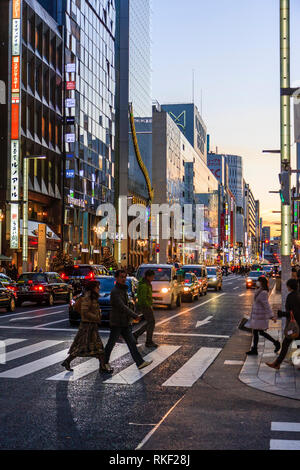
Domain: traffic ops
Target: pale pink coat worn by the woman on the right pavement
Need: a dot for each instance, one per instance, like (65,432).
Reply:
(261,311)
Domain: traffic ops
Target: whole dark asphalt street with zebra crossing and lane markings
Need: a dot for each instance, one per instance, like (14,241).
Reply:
(44,407)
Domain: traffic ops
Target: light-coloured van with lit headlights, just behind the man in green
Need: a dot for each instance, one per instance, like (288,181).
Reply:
(166,288)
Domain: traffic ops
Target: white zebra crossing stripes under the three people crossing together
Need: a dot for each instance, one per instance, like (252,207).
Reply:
(187,374)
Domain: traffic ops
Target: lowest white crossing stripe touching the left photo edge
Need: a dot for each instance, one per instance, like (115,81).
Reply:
(35,366)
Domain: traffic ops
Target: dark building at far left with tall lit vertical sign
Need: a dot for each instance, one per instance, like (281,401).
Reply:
(31,68)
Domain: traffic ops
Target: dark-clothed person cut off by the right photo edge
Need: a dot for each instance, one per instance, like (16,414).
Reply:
(292,304)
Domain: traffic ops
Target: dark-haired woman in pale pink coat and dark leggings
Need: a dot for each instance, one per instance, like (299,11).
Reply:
(260,316)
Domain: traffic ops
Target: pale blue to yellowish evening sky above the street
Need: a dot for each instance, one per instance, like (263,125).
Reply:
(233,47)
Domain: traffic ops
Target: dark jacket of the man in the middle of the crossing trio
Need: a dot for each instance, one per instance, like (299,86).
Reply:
(121,315)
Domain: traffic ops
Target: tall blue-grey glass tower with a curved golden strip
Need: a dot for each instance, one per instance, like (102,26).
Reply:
(133,114)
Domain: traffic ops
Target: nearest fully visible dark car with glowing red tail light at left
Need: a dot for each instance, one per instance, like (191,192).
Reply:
(42,287)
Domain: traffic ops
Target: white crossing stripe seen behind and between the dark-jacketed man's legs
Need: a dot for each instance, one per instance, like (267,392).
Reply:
(88,367)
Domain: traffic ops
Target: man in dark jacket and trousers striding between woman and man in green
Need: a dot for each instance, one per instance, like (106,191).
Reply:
(120,321)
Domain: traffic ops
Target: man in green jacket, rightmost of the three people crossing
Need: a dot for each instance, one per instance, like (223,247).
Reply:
(145,302)
